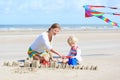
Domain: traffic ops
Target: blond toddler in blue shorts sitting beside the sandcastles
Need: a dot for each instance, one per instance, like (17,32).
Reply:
(74,55)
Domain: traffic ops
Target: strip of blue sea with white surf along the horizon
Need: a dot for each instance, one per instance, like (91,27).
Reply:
(16,27)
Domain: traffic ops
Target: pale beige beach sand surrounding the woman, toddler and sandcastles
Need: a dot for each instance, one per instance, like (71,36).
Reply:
(99,47)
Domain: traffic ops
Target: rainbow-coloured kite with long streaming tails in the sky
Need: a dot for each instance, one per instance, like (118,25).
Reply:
(89,12)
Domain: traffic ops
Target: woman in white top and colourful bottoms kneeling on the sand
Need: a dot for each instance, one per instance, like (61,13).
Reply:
(41,47)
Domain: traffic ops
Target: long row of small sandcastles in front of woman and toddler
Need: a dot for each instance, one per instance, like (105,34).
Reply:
(29,65)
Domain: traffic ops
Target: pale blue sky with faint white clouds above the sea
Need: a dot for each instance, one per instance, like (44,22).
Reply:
(53,11)
